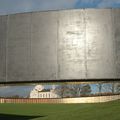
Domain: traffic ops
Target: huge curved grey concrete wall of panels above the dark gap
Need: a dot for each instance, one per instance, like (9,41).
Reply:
(56,45)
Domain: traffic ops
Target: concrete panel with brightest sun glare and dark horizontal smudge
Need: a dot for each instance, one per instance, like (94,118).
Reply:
(71,45)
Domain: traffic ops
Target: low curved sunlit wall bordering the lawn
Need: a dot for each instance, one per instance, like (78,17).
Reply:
(97,99)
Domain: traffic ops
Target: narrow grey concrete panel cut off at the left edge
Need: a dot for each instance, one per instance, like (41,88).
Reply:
(3,37)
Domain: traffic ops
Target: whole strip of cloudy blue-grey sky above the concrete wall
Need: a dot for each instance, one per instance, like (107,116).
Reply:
(18,6)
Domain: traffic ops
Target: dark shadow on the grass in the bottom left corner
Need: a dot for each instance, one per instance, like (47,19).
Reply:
(17,117)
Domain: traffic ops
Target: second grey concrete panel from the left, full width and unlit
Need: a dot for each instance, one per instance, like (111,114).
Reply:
(18,47)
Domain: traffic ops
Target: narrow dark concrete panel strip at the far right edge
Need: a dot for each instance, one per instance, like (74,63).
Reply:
(116,16)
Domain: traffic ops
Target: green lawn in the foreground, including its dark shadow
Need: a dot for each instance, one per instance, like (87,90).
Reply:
(99,111)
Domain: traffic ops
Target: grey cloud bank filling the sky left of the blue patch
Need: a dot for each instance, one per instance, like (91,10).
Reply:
(15,6)
